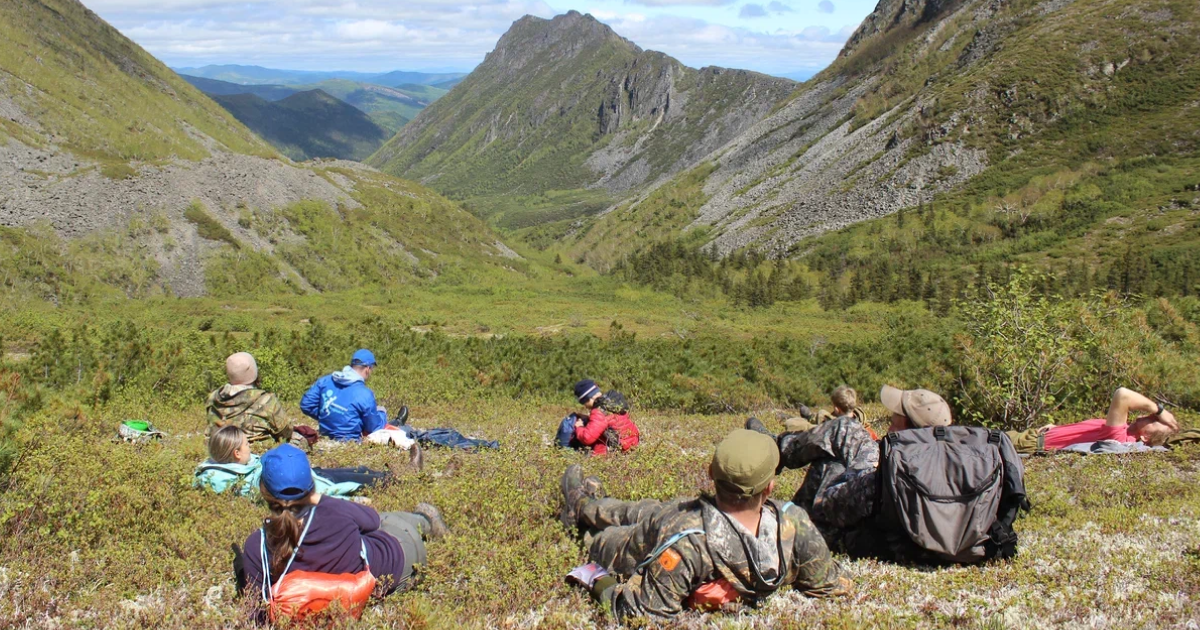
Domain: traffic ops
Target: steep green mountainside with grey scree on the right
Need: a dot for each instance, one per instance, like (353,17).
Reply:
(1061,135)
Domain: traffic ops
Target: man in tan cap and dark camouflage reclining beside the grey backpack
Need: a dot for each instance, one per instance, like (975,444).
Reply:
(841,490)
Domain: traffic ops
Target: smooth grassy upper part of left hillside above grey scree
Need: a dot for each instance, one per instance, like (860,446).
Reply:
(94,93)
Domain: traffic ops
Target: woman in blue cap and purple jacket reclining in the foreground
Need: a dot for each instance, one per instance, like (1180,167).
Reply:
(310,532)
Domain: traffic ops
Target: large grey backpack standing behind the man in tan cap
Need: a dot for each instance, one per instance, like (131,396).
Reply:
(950,495)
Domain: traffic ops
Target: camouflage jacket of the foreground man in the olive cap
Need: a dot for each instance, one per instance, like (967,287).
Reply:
(664,571)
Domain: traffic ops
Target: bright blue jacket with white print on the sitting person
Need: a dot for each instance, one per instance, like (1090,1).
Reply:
(344,406)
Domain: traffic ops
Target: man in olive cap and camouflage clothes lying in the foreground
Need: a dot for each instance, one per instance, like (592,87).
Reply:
(716,553)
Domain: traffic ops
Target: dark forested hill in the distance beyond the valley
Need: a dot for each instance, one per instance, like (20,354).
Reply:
(310,124)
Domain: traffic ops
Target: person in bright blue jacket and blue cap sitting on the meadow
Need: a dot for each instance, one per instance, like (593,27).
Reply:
(346,410)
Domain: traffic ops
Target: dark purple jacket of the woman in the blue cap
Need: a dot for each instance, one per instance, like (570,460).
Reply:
(333,545)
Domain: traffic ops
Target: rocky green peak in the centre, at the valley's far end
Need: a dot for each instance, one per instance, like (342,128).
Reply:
(568,104)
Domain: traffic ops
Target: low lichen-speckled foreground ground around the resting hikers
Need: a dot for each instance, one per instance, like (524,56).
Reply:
(97,533)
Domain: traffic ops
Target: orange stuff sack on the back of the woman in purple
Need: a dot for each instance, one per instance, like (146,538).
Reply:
(304,593)
